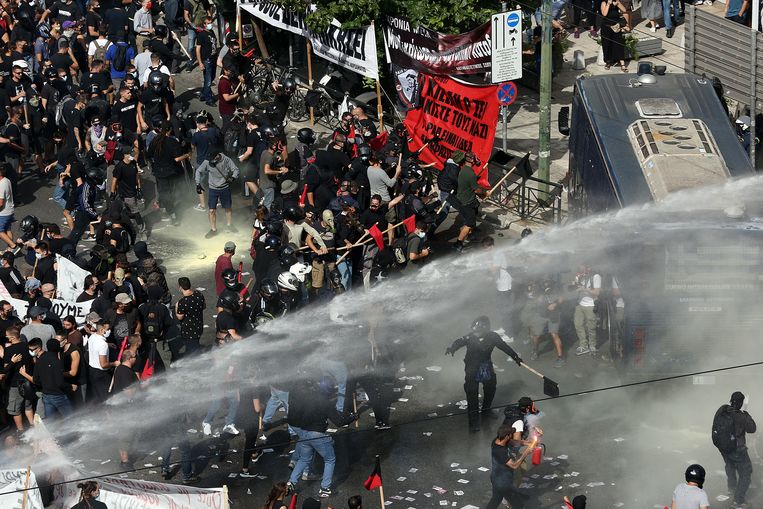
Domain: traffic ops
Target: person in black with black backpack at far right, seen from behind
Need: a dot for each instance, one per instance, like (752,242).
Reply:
(737,459)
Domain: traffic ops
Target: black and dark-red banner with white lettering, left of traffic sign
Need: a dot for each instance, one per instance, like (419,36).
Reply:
(431,52)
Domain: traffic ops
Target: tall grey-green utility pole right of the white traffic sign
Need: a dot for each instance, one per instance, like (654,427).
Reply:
(544,122)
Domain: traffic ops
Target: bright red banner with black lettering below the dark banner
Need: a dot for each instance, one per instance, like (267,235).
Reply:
(458,116)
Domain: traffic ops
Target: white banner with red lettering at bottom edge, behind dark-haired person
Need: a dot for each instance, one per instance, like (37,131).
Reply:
(119,493)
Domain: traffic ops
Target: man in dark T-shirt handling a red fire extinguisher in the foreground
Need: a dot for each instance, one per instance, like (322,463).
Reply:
(504,463)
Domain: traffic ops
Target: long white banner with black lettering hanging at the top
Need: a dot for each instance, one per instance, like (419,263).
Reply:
(353,49)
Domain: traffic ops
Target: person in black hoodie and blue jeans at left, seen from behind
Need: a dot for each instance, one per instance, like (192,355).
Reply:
(49,376)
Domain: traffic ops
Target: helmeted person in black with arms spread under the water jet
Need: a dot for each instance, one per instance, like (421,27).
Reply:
(478,367)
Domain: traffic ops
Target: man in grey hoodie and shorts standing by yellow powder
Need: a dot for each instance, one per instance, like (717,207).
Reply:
(220,172)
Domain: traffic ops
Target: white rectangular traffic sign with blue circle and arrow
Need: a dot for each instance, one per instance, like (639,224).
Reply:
(506,47)
